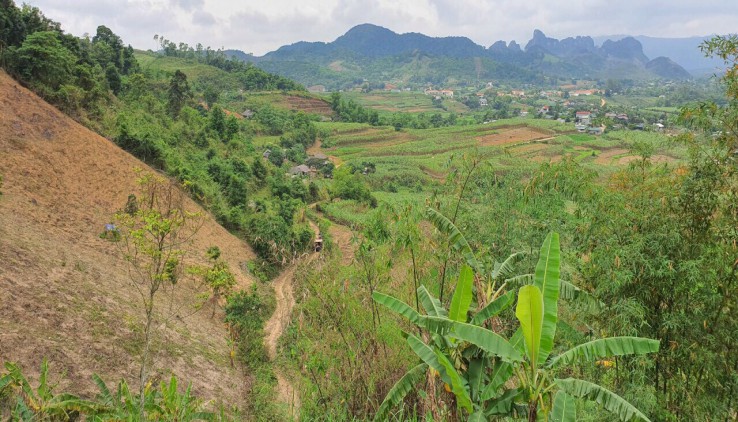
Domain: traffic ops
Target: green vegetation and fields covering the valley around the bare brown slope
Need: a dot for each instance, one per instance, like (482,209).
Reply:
(446,231)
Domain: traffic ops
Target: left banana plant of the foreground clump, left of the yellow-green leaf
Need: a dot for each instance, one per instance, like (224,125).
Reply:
(459,349)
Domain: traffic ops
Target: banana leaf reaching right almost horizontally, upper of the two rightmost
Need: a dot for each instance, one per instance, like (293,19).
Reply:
(601,348)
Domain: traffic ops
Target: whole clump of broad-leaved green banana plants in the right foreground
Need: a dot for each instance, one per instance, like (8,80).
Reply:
(514,378)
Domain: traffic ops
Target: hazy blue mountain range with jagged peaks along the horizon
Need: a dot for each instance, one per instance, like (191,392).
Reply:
(375,55)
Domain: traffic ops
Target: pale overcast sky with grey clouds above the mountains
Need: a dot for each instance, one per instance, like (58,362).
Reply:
(260,26)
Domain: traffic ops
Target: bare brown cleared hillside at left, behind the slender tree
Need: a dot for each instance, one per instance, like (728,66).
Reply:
(64,292)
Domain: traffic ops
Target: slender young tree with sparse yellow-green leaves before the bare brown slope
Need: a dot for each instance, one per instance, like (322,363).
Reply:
(152,241)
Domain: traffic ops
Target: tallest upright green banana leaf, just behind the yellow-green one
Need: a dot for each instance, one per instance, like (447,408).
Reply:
(547,280)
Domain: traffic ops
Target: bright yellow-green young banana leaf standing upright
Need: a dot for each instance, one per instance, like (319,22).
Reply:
(530,314)
